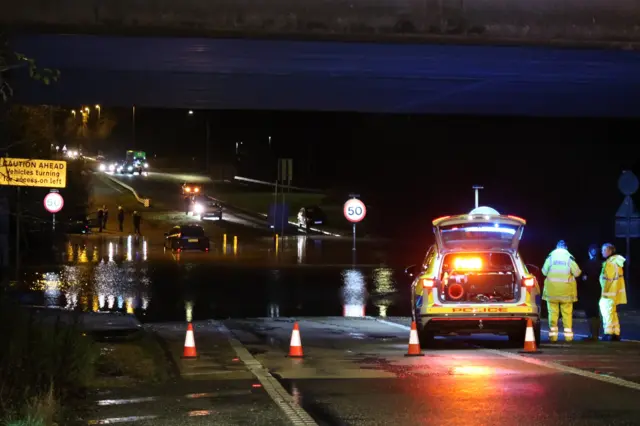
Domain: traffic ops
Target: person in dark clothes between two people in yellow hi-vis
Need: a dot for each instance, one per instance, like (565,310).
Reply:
(590,292)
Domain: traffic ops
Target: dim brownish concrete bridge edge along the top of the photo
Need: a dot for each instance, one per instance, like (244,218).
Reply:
(468,20)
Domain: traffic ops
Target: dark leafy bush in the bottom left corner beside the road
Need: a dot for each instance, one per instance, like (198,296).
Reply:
(42,362)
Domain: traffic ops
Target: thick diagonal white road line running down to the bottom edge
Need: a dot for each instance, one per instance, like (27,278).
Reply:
(296,414)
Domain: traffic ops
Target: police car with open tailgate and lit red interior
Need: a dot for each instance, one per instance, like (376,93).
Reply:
(473,279)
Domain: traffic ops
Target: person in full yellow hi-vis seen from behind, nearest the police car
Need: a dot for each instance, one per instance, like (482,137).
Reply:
(560,289)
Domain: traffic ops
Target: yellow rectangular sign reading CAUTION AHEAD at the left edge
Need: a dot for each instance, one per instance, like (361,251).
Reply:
(32,172)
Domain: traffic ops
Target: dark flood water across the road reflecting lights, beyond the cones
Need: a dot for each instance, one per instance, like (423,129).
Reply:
(313,278)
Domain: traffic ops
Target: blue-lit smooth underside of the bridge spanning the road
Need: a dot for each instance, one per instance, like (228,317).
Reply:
(325,76)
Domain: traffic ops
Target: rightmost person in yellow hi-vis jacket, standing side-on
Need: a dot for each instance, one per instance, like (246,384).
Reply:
(613,291)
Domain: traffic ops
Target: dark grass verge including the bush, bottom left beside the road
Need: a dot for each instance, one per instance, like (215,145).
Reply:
(47,365)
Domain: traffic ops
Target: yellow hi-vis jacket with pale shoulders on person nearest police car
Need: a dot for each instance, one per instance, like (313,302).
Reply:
(561,271)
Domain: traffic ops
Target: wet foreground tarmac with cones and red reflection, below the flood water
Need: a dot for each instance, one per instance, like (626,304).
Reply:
(355,373)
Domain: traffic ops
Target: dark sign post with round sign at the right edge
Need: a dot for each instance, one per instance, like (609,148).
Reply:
(628,220)
